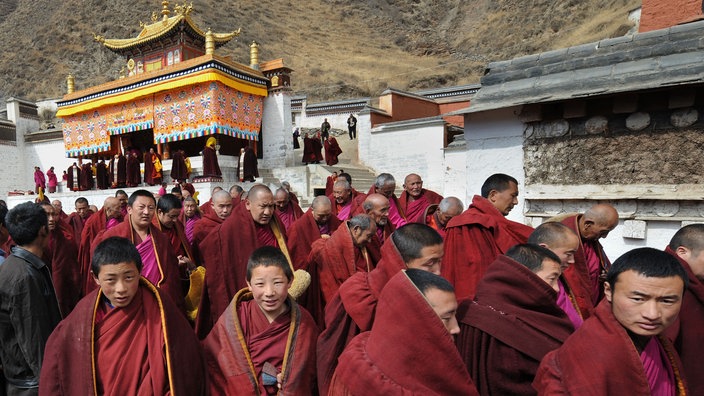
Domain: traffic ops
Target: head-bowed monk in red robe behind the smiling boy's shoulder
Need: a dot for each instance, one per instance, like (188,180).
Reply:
(337,258)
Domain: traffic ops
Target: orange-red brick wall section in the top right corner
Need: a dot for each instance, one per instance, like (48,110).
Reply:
(658,14)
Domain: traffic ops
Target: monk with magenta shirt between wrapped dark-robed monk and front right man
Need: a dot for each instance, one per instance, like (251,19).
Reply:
(561,240)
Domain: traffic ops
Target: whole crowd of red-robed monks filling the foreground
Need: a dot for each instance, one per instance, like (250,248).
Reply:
(362,294)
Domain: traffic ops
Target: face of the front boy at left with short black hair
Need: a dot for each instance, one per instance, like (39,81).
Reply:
(119,283)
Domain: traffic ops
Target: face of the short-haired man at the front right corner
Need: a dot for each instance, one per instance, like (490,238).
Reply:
(645,306)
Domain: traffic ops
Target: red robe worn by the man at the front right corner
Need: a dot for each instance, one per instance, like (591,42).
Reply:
(600,359)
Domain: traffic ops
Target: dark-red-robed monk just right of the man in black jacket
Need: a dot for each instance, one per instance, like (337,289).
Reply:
(61,256)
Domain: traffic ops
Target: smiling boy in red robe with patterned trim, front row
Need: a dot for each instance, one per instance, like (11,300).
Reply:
(264,342)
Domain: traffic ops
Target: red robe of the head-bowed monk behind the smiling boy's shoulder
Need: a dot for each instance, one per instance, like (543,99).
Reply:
(336,259)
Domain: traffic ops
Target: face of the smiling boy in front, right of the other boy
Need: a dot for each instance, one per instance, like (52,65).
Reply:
(269,286)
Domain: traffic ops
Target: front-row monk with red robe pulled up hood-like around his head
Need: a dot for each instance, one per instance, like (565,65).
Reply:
(410,348)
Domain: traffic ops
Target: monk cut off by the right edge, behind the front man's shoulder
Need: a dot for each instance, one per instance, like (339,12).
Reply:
(687,333)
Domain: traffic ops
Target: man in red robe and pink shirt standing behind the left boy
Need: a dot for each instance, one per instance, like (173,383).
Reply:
(160,265)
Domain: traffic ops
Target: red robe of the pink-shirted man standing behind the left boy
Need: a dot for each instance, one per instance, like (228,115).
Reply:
(170,280)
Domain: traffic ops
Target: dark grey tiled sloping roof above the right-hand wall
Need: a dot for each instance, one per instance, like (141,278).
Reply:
(660,58)
